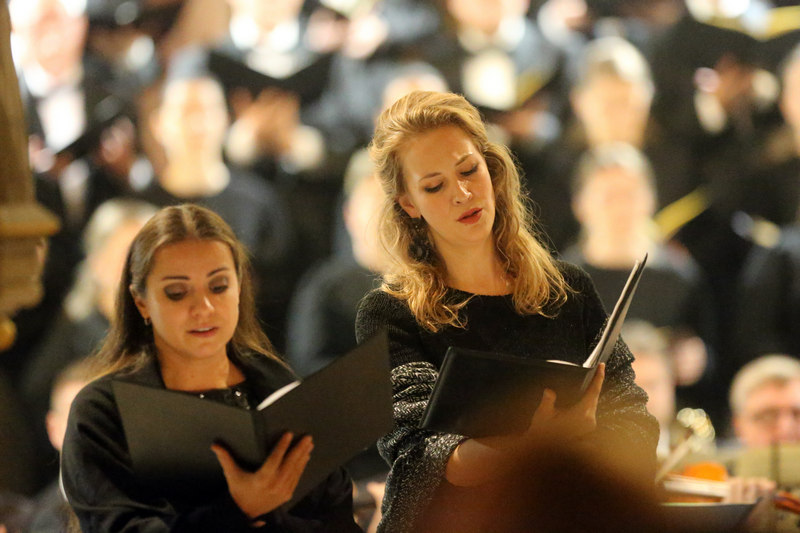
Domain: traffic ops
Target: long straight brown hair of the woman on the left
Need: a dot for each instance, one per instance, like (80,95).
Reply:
(129,343)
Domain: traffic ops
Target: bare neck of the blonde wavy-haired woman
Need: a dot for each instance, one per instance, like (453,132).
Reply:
(476,270)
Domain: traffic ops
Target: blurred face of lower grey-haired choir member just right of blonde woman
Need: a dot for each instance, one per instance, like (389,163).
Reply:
(614,203)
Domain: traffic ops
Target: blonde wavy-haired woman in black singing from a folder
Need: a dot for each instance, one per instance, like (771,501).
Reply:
(467,270)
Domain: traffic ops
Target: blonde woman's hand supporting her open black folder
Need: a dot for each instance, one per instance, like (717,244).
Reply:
(549,422)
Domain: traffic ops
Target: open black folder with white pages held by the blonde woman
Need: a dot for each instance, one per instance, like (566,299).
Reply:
(480,393)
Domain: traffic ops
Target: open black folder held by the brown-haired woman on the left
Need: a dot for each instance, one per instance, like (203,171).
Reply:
(345,406)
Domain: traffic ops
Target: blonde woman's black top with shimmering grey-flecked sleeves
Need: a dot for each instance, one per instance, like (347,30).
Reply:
(418,458)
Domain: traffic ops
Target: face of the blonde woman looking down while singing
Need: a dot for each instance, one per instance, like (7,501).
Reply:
(448,184)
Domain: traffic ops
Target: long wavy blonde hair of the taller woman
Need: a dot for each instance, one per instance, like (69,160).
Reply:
(419,278)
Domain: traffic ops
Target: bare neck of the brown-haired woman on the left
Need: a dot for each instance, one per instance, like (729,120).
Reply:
(199,375)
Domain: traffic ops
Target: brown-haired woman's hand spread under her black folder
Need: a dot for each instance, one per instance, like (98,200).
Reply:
(273,484)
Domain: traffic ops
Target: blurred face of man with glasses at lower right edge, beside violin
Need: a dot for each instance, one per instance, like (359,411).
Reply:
(770,414)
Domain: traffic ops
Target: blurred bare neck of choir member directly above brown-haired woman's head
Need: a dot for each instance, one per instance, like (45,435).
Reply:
(188,177)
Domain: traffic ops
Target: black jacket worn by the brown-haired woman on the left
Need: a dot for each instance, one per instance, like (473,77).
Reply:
(106,496)
